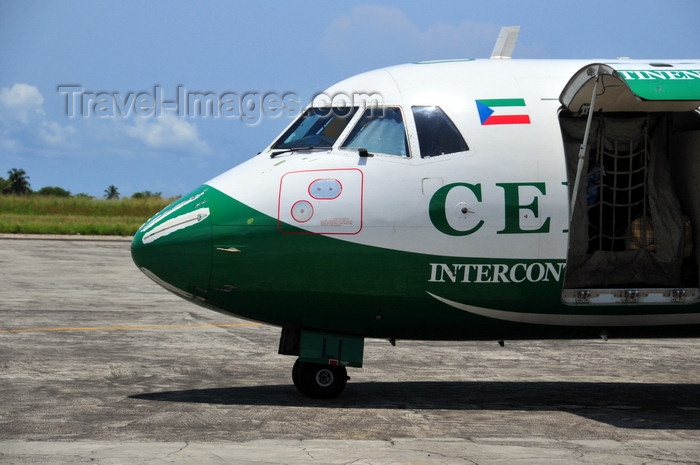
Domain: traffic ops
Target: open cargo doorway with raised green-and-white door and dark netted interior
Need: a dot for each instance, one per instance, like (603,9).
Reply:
(631,134)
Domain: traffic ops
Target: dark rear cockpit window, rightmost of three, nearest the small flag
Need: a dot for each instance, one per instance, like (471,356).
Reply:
(437,134)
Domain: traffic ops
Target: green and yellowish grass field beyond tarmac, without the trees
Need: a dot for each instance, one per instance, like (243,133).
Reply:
(75,215)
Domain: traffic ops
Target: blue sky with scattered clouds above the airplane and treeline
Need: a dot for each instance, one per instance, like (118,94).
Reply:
(250,49)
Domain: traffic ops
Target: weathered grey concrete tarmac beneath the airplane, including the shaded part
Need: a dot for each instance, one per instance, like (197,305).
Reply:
(100,365)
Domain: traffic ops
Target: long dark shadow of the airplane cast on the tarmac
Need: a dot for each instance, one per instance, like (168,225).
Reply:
(623,405)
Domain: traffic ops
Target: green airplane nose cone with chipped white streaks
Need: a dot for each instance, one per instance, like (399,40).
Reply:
(174,247)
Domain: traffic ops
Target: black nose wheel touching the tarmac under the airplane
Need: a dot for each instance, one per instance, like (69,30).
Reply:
(319,381)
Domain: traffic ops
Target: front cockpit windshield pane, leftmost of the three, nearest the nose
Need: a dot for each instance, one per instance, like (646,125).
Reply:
(317,127)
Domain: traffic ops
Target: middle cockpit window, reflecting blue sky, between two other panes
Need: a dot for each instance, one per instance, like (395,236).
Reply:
(380,130)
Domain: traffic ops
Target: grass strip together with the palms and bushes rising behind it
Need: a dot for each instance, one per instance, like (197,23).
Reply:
(53,210)
